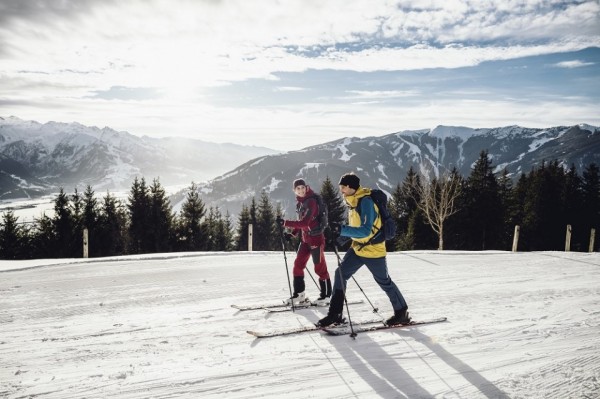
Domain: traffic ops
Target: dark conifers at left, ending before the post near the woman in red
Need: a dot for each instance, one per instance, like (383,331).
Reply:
(145,223)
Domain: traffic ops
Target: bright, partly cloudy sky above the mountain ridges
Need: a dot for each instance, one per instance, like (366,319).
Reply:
(290,74)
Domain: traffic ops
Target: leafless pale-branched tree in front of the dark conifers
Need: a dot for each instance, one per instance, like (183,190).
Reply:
(437,201)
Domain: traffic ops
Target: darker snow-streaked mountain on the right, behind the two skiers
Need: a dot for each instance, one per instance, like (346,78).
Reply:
(384,161)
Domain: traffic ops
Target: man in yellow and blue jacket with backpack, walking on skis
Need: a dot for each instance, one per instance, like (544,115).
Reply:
(364,221)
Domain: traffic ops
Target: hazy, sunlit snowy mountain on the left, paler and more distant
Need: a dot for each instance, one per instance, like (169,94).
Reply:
(37,158)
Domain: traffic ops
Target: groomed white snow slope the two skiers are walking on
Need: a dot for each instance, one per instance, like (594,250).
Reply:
(520,325)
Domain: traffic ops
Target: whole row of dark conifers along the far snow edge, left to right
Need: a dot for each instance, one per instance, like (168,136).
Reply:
(448,211)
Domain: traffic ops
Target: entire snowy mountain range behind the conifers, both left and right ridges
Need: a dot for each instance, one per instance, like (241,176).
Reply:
(38,158)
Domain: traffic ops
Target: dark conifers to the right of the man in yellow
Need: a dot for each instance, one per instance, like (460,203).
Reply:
(487,207)
